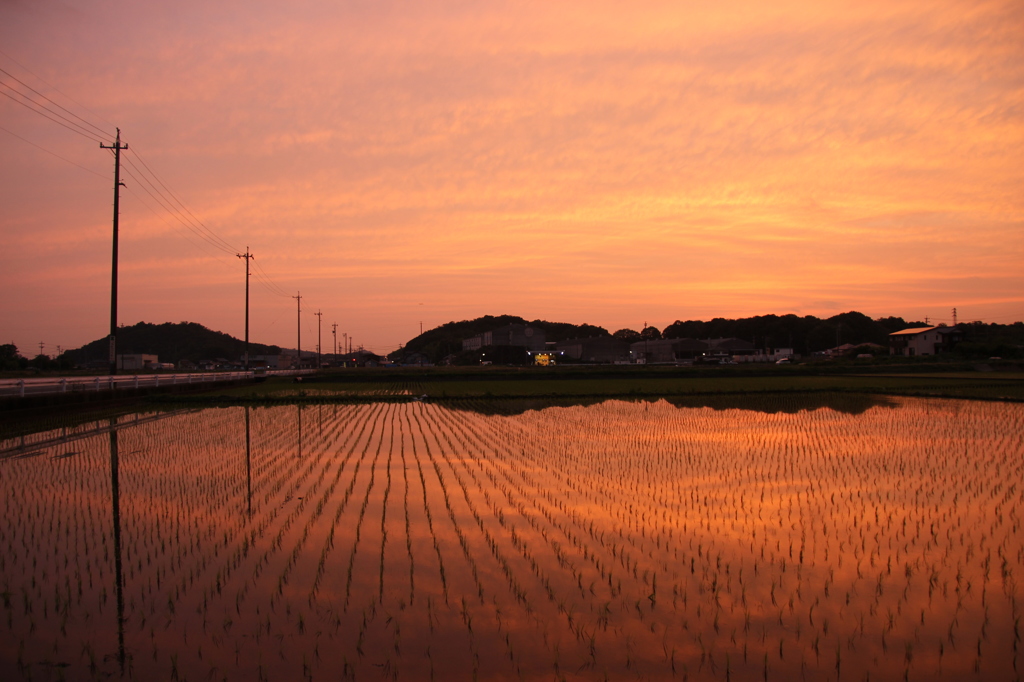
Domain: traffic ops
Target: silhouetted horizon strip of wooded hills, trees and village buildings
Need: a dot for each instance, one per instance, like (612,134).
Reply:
(514,342)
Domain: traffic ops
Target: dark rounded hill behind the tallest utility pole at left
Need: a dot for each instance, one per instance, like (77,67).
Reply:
(172,344)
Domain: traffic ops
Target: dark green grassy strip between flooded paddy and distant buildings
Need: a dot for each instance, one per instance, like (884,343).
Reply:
(498,383)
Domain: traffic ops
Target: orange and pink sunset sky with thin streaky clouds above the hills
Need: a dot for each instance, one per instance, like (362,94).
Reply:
(591,162)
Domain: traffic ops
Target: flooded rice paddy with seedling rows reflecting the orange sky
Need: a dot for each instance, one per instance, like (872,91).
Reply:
(614,541)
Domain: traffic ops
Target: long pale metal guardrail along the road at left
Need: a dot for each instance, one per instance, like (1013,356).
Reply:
(50,386)
